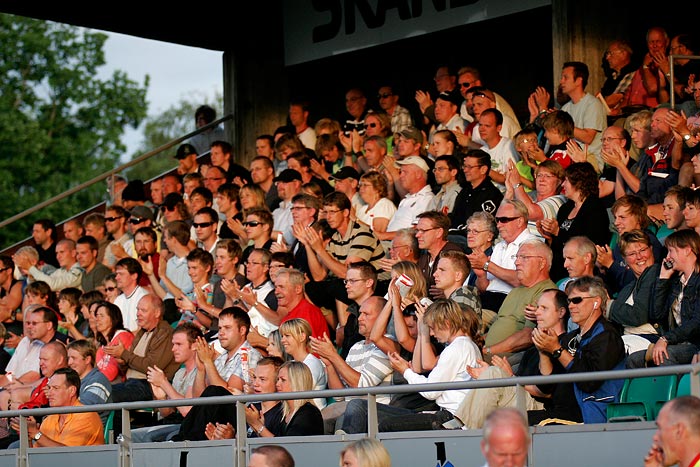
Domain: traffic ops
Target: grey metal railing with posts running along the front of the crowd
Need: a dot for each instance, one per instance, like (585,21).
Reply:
(371,393)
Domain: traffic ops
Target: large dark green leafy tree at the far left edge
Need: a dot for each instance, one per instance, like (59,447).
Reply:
(59,124)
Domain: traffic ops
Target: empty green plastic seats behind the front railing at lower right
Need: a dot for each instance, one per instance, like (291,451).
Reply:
(642,398)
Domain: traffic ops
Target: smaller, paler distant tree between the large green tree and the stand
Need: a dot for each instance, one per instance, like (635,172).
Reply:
(173,123)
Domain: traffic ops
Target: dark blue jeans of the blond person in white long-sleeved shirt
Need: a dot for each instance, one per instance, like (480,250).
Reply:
(392,418)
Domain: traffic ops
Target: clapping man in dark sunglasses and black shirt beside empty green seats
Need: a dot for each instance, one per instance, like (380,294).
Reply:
(595,346)
